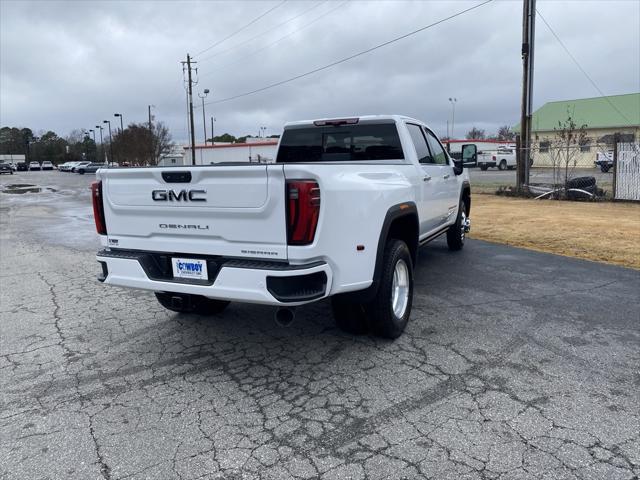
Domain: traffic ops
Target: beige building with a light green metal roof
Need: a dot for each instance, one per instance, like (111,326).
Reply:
(603,117)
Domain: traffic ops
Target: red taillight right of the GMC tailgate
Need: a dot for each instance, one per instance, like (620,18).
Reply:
(303,209)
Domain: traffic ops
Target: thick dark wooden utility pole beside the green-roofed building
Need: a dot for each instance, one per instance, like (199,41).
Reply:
(528,42)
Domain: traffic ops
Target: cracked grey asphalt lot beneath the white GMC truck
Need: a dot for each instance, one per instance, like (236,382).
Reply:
(515,365)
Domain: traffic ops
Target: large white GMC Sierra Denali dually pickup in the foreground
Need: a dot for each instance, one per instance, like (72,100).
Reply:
(341,214)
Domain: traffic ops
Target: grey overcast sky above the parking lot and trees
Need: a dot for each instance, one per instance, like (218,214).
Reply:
(69,65)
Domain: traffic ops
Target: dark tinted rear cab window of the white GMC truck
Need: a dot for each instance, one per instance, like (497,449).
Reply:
(343,143)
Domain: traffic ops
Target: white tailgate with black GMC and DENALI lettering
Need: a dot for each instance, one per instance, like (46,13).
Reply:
(231,211)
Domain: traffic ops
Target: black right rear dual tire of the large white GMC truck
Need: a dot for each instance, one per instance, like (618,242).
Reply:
(384,322)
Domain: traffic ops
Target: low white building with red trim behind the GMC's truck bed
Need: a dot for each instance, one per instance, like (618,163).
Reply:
(263,151)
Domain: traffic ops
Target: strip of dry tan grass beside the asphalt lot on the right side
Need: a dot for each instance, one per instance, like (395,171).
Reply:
(603,232)
